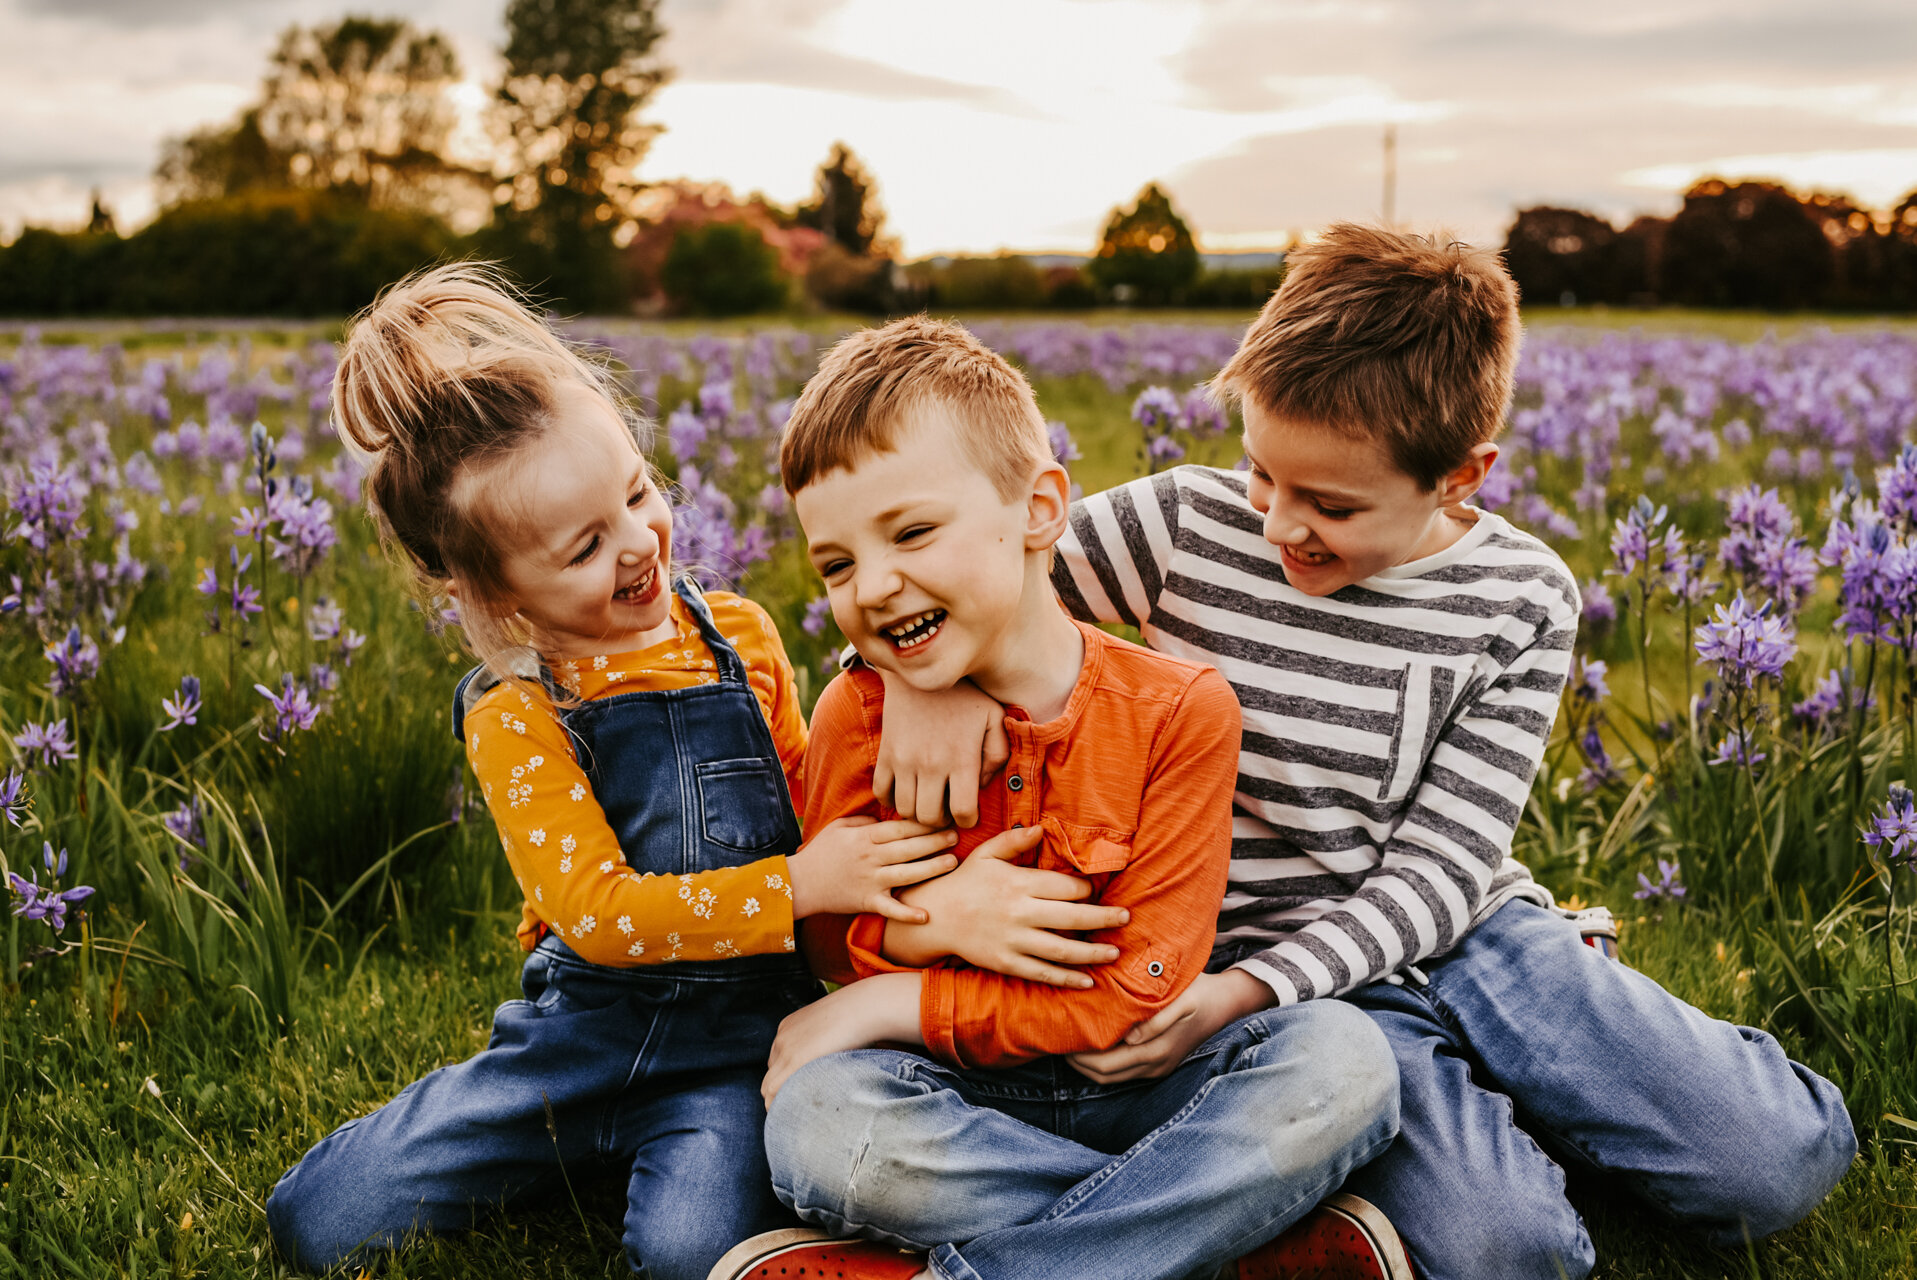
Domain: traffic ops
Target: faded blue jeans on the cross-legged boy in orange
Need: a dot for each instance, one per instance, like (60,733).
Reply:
(1040,1174)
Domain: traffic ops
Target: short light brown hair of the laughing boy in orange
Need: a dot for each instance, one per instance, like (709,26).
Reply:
(875,378)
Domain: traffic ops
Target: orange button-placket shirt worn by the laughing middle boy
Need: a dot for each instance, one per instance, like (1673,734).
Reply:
(1134,790)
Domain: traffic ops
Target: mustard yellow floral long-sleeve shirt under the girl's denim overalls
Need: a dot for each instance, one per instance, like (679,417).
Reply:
(565,854)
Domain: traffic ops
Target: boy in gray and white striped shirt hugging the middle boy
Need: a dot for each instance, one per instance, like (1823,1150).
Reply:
(1400,658)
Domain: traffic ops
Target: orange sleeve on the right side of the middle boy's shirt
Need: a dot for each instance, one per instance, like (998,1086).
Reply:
(1172,888)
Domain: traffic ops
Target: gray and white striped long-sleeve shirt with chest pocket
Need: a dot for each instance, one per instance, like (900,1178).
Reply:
(1391,729)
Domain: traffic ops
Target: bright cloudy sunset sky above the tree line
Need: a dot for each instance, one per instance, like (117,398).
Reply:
(1021,124)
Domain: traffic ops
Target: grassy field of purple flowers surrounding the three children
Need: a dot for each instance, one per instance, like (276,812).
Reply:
(250,894)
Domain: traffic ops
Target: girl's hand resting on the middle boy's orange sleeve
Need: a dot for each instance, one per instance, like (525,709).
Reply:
(854,865)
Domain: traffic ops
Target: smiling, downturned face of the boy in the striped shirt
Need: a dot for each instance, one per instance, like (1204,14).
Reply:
(1337,507)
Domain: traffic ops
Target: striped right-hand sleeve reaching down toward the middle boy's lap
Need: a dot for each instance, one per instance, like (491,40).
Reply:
(1439,865)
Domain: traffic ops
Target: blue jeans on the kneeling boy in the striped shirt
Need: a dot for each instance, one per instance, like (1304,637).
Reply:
(1523,1043)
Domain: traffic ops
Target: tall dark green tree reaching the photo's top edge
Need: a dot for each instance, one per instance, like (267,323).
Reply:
(570,131)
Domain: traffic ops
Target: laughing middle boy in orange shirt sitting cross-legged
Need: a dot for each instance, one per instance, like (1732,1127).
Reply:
(921,470)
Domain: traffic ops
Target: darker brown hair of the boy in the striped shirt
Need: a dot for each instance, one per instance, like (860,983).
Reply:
(1389,336)
